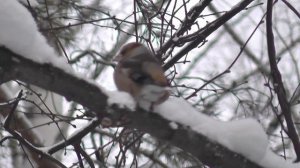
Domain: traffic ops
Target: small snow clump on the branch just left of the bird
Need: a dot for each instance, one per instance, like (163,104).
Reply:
(121,99)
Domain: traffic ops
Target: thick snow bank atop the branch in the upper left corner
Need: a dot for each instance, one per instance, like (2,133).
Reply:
(19,33)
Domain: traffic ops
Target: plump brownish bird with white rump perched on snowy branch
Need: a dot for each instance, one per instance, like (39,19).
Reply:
(140,74)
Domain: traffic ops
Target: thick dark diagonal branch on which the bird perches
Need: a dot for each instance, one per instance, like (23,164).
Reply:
(90,96)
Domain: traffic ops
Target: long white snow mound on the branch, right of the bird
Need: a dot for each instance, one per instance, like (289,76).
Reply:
(245,137)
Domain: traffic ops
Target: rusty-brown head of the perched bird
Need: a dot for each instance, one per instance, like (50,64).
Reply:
(130,50)
